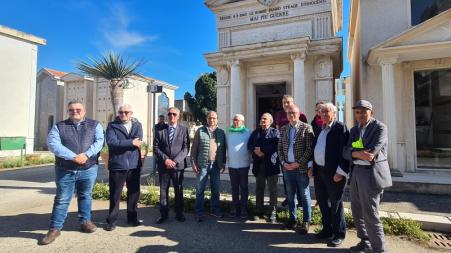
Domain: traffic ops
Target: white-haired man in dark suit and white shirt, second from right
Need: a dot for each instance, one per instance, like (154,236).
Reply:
(330,169)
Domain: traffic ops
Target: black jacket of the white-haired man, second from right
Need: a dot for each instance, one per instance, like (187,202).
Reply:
(335,142)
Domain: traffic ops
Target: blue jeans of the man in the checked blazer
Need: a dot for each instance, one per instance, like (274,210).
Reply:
(297,181)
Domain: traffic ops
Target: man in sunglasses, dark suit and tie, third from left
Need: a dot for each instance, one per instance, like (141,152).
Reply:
(171,146)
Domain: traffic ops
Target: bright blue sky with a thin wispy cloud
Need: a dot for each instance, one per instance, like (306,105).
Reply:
(171,36)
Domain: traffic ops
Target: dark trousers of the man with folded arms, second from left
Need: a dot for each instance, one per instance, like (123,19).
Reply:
(117,179)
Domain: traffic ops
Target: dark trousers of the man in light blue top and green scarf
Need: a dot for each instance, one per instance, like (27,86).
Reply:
(239,182)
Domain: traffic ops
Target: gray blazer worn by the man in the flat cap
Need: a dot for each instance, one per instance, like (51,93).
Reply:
(375,139)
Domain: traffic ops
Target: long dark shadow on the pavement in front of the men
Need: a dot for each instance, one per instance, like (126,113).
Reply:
(224,235)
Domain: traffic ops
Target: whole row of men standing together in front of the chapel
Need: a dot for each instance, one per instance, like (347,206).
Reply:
(324,150)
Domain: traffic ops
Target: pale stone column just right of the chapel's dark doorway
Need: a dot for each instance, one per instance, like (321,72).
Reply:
(299,80)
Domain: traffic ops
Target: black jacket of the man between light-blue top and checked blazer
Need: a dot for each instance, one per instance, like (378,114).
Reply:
(267,141)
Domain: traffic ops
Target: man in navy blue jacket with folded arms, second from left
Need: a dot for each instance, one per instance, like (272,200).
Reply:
(124,138)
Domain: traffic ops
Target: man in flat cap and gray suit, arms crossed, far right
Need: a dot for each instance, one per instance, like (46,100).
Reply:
(370,175)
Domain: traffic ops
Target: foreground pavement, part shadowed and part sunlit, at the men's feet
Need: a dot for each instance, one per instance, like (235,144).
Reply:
(21,230)
